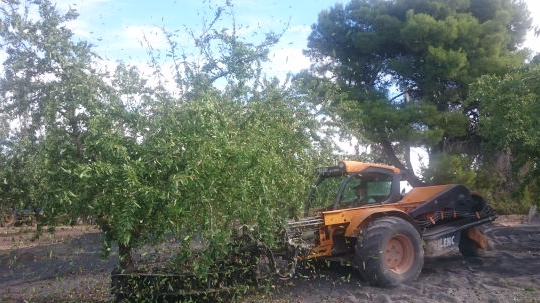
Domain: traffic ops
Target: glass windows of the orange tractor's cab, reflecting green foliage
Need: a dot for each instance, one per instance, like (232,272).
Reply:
(348,191)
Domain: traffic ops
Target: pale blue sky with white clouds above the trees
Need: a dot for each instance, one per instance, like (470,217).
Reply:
(118,28)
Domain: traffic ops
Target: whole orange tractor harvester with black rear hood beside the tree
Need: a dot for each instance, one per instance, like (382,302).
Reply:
(357,211)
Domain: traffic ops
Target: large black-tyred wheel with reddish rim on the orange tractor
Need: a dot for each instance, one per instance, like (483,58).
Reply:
(389,252)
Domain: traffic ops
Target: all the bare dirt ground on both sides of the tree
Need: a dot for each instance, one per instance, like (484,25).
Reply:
(67,267)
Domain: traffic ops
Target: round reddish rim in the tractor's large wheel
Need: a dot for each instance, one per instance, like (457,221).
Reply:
(399,254)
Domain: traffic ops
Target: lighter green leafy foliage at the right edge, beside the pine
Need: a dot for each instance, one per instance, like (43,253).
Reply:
(510,107)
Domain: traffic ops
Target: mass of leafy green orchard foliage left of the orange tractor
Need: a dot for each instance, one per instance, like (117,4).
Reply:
(140,162)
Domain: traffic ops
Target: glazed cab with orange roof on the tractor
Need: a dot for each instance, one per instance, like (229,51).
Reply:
(353,184)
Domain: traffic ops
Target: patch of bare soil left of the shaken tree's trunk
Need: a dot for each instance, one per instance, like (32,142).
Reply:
(66,266)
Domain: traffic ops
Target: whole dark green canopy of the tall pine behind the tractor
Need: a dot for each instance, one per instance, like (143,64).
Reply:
(427,50)
